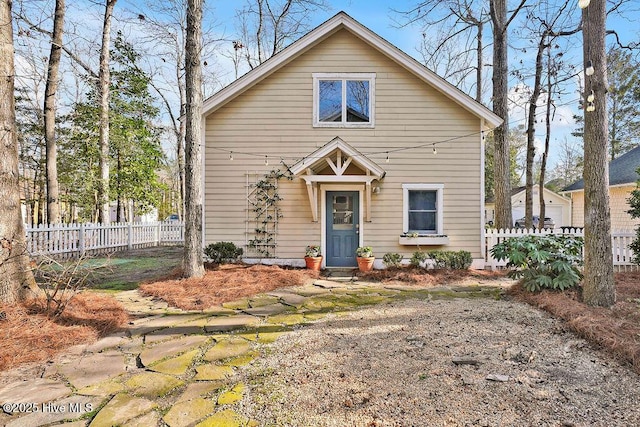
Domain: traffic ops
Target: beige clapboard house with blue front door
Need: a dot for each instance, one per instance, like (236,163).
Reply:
(356,123)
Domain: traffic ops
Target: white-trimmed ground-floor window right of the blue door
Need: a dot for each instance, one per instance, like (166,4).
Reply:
(422,208)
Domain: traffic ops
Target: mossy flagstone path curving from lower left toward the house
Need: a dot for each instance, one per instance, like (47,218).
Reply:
(181,367)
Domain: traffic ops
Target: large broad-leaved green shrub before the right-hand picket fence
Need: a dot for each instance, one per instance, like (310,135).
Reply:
(543,262)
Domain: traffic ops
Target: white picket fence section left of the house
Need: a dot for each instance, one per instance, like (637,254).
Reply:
(70,240)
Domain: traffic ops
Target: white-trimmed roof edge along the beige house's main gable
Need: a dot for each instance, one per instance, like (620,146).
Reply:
(322,32)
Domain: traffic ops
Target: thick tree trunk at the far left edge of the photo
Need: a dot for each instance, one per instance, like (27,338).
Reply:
(16,280)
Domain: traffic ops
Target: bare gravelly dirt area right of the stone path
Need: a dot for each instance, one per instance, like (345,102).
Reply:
(458,362)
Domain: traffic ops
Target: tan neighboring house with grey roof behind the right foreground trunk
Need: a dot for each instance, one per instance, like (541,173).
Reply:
(623,179)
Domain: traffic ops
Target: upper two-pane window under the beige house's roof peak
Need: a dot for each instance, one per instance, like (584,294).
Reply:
(343,100)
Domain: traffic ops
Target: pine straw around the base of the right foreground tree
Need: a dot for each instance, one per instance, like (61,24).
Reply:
(615,329)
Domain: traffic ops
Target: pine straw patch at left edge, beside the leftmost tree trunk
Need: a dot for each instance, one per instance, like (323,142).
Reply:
(27,335)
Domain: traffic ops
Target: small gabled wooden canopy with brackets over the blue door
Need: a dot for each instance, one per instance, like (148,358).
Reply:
(338,163)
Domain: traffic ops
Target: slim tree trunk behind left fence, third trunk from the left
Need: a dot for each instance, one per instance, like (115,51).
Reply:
(104,79)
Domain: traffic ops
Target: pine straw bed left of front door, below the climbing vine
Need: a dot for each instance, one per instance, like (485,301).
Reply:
(226,283)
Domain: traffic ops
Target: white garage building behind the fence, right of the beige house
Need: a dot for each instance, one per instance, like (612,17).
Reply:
(557,207)
